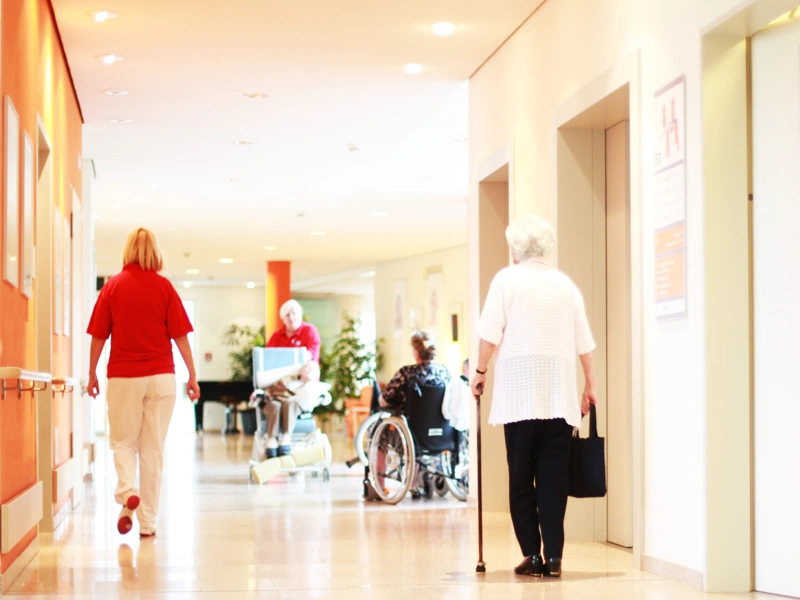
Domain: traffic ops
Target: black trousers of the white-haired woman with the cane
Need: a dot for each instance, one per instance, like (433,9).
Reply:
(538,480)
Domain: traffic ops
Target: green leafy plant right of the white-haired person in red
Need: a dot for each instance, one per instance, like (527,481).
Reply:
(347,364)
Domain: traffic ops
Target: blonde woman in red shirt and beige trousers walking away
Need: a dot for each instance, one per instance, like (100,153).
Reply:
(142,313)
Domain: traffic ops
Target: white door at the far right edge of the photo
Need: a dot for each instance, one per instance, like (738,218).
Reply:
(776,287)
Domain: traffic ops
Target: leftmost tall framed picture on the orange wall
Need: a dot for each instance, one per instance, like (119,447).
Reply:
(11,196)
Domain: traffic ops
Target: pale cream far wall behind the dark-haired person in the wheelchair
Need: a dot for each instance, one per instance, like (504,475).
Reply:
(452,263)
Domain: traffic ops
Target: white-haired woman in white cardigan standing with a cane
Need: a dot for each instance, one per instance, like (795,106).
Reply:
(534,319)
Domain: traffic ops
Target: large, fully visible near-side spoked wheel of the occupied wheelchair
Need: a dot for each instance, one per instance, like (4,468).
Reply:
(391,460)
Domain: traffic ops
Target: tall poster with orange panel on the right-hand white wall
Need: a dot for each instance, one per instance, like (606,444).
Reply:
(669,167)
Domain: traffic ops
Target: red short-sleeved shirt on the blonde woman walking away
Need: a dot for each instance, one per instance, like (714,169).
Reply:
(142,313)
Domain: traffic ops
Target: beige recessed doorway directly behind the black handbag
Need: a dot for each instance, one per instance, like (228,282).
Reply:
(594,249)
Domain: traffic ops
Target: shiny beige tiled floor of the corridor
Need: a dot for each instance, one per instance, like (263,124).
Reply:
(222,538)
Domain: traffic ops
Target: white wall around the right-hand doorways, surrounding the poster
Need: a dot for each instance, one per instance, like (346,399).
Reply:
(562,48)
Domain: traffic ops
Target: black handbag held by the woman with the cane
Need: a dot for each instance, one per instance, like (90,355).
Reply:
(587,463)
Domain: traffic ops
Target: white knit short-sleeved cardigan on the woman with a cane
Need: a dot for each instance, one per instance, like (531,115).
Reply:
(535,316)
